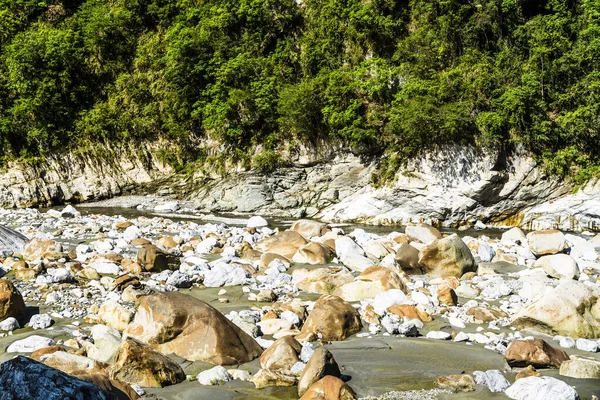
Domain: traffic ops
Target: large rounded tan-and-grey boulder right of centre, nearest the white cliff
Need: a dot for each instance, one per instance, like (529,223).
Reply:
(447,256)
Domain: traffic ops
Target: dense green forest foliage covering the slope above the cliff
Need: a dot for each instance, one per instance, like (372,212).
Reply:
(383,76)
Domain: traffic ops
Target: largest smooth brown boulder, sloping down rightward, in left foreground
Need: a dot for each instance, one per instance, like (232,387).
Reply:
(176,323)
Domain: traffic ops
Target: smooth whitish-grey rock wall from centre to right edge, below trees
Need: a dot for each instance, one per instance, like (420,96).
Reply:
(452,187)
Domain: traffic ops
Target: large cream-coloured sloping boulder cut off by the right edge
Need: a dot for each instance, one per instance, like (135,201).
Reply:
(571,309)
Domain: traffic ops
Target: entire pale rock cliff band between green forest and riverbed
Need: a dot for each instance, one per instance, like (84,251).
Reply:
(453,187)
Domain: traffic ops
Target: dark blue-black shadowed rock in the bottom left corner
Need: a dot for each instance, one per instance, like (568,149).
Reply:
(24,378)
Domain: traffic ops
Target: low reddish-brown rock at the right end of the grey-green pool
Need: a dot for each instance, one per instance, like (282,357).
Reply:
(536,352)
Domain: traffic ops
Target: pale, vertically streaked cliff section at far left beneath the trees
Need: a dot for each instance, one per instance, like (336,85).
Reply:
(71,177)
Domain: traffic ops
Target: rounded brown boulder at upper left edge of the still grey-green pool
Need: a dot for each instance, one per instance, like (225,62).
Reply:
(332,319)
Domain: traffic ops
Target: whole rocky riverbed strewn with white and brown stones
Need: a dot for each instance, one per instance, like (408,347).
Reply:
(175,307)
